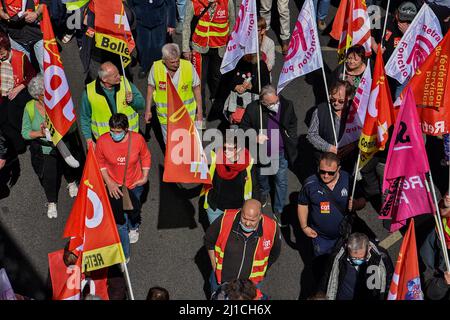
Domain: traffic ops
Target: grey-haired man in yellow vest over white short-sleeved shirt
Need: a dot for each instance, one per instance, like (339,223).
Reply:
(184,78)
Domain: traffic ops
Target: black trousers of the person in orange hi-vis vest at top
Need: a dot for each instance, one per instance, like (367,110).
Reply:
(211,62)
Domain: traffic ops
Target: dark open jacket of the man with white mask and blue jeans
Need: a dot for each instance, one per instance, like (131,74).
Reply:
(288,125)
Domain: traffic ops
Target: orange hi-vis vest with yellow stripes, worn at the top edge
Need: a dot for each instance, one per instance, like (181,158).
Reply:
(213,31)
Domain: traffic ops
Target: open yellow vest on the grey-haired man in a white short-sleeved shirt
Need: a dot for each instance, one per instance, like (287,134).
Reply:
(184,89)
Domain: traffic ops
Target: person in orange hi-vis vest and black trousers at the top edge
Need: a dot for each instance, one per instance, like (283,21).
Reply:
(210,23)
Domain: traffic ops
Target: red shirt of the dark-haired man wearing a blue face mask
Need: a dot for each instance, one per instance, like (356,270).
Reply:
(112,157)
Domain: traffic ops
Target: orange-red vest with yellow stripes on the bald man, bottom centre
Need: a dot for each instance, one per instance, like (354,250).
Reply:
(263,248)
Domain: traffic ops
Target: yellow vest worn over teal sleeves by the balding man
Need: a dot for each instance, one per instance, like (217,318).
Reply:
(101,112)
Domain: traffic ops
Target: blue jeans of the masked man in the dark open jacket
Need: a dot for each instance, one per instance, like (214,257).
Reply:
(281,184)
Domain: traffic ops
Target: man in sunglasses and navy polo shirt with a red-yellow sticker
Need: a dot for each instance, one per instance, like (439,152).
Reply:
(322,204)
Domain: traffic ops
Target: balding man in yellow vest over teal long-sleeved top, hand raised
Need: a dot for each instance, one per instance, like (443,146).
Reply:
(109,94)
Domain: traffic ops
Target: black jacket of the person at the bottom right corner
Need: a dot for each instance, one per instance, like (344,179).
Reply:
(434,285)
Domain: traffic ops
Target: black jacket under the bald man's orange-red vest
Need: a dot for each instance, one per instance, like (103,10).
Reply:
(239,250)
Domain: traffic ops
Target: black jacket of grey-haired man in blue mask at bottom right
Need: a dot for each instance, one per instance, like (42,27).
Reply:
(366,274)
